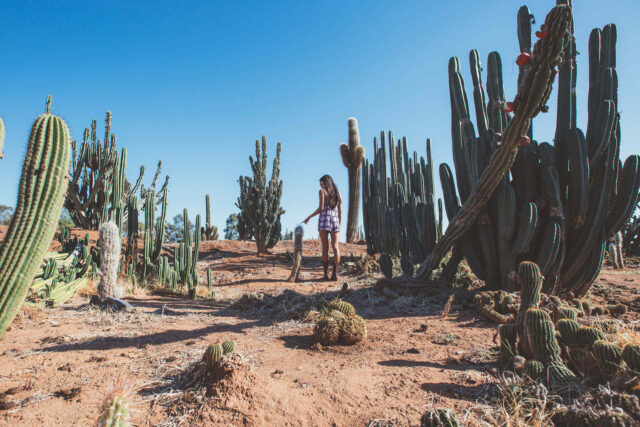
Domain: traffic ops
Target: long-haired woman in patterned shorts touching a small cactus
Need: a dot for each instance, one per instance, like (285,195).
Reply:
(330,210)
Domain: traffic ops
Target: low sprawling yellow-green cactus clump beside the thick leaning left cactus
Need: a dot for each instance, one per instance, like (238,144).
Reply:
(63,273)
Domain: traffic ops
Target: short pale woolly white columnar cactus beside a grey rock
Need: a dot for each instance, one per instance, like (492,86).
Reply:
(109,242)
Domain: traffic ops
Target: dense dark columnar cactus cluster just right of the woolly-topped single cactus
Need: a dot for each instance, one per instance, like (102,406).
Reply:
(399,210)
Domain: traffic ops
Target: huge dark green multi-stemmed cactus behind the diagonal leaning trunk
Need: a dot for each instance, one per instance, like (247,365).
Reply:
(559,204)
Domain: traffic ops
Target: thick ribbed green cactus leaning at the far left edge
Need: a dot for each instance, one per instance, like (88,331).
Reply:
(43,184)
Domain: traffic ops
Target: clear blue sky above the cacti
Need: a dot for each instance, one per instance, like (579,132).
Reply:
(195,83)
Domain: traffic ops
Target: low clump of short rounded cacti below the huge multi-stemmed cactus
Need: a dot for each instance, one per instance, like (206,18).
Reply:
(557,351)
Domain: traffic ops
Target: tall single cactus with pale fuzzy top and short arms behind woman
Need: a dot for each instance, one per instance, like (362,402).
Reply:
(352,155)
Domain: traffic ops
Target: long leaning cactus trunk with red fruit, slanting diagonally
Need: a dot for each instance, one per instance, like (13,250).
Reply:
(532,96)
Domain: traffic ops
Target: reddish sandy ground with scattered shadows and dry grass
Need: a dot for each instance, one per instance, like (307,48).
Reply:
(58,363)
